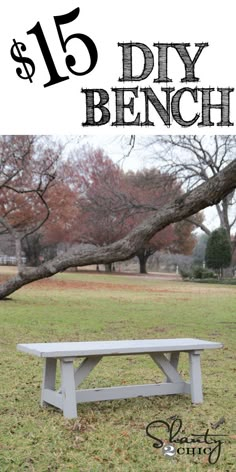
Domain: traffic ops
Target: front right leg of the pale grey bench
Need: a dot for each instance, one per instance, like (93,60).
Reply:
(195,377)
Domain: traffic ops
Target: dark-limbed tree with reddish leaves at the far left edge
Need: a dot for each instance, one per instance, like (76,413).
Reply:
(27,172)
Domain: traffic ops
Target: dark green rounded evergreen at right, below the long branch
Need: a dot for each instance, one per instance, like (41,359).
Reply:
(218,250)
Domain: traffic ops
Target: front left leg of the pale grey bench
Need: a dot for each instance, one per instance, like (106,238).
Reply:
(68,389)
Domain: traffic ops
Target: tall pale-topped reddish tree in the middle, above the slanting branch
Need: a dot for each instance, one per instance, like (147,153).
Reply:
(98,183)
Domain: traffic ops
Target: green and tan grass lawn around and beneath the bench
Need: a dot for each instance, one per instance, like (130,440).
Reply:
(111,435)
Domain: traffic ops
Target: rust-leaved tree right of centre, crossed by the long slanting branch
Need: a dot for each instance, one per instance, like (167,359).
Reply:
(147,191)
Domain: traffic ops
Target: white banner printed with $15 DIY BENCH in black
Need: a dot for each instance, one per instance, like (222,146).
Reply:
(84,67)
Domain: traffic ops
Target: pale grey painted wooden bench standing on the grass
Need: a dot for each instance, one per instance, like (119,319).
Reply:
(67,397)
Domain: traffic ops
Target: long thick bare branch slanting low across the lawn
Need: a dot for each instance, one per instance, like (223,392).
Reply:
(207,194)
